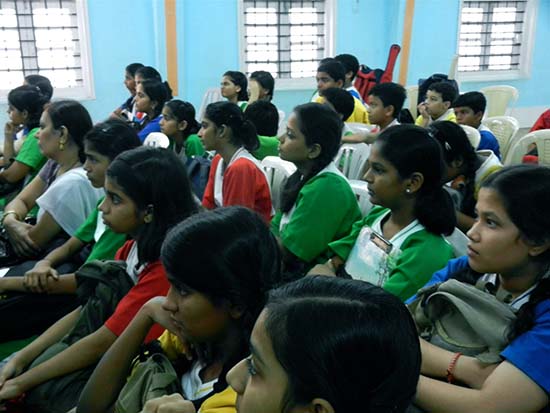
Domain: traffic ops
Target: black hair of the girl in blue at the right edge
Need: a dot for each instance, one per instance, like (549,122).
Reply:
(524,191)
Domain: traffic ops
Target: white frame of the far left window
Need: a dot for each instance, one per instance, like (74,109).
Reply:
(87,90)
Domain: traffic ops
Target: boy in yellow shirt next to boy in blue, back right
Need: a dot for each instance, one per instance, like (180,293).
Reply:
(438,104)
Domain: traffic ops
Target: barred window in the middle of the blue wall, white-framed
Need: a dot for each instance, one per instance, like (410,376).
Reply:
(287,38)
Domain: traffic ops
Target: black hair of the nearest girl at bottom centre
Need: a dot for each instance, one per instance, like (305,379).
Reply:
(329,333)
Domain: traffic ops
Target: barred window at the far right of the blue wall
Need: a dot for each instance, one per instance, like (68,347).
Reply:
(495,38)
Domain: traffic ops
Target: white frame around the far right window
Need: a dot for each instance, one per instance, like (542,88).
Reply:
(526,50)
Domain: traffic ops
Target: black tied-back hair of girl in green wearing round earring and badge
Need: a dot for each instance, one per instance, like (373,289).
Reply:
(411,149)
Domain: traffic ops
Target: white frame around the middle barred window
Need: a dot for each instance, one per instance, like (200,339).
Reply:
(304,83)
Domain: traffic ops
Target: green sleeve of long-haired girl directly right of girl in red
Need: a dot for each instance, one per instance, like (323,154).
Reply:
(326,209)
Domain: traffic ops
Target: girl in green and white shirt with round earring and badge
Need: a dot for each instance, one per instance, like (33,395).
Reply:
(400,243)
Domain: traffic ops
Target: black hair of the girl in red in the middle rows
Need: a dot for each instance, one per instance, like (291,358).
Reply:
(230,115)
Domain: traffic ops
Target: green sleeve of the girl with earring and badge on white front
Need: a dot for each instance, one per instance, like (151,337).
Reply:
(422,255)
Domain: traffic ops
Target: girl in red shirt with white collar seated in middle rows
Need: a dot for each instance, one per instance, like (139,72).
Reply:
(236,177)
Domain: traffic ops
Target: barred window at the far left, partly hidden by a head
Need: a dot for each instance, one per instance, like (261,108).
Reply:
(47,37)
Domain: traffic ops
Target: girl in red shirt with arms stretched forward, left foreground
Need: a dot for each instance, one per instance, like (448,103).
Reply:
(135,204)
